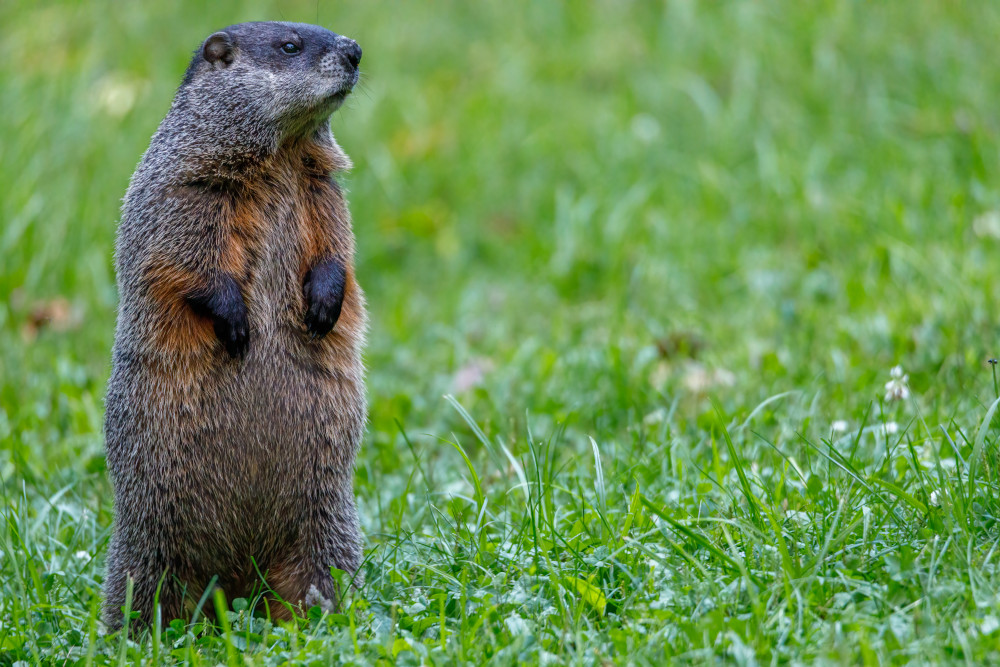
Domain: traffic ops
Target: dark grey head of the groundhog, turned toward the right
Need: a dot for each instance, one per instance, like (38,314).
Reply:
(286,75)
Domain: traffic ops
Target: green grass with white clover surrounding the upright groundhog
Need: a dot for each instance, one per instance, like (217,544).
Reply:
(638,274)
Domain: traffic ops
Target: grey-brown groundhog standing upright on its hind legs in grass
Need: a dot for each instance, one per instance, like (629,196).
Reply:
(236,403)
